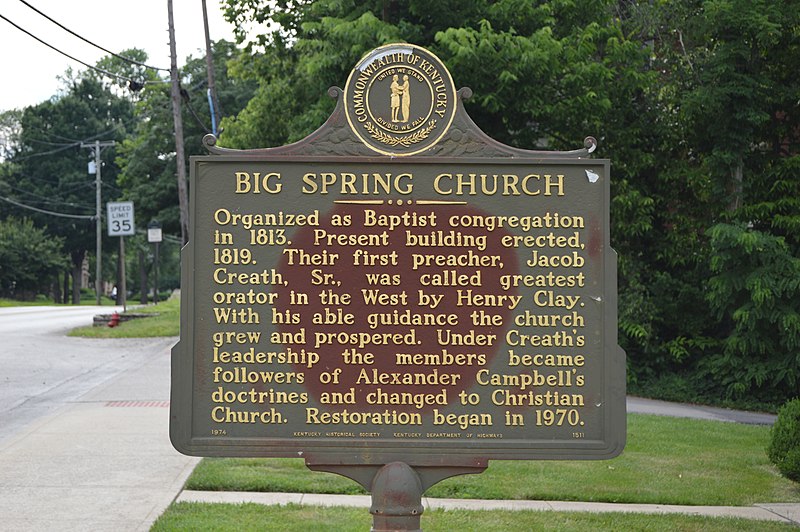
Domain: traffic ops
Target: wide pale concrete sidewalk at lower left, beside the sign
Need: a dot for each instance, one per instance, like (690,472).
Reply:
(103,462)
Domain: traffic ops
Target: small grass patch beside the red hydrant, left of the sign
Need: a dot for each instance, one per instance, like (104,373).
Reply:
(166,323)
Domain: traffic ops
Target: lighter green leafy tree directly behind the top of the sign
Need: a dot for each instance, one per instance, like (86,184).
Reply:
(544,75)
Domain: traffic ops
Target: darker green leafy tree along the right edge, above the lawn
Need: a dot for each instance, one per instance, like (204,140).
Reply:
(727,88)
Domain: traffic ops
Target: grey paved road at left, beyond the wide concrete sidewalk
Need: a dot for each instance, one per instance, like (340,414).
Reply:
(43,369)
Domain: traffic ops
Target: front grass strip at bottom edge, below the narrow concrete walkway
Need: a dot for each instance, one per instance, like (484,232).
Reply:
(252,517)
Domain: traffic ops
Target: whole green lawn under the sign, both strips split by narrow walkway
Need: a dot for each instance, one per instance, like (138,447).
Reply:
(667,461)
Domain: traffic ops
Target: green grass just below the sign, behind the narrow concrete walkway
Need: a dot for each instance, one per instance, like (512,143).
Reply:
(666,461)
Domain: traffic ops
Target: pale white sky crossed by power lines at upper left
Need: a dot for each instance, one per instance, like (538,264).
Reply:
(29,69)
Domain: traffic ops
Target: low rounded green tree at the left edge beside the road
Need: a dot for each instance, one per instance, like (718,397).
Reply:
(29,259)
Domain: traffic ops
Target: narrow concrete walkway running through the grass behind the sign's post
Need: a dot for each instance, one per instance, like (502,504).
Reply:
(784,513)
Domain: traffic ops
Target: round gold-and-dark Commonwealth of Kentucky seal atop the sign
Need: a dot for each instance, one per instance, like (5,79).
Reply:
(400,99)
